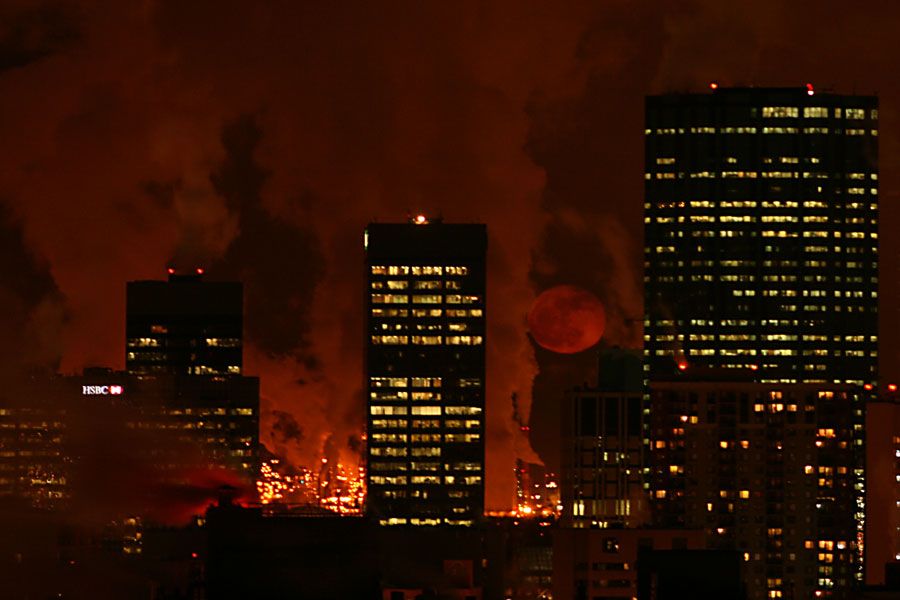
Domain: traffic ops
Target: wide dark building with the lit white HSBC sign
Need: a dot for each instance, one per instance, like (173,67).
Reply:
(55,431)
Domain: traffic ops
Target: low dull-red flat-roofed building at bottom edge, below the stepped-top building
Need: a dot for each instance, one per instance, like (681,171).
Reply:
(602,563)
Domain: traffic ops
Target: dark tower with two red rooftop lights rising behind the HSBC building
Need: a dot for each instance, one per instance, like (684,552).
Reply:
(184,326)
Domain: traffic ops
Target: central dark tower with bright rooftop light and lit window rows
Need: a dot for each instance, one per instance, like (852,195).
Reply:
(425,372)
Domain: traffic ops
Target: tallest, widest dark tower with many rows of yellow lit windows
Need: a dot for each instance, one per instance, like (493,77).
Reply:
(761,225)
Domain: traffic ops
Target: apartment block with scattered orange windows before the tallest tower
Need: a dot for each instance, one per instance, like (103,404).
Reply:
(774,471)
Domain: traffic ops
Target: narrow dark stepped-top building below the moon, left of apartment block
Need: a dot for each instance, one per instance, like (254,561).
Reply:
(605,447)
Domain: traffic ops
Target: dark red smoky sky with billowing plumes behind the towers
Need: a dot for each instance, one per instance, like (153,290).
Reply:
(260,138)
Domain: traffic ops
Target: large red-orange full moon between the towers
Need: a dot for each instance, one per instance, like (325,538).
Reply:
(566,319)
